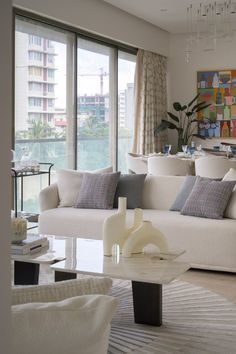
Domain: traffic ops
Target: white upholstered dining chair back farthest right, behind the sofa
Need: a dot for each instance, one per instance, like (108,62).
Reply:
(213,167)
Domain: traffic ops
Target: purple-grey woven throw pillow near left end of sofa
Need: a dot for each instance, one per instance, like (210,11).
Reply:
(97,190)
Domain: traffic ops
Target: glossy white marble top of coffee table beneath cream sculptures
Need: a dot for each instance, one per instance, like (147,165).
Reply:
(86,256)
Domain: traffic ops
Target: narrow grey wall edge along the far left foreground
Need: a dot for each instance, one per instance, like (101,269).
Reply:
(5,137)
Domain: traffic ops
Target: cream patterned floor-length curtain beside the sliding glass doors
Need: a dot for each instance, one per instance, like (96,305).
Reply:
(150,102)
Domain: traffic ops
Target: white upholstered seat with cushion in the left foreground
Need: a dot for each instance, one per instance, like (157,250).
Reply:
(72,316)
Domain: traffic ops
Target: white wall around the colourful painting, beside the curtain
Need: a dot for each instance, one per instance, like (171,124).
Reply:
(183,76)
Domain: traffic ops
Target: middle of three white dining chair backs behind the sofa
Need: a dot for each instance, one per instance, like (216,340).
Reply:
(169,166)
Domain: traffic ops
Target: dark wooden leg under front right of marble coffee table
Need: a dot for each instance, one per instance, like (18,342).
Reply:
(147,300)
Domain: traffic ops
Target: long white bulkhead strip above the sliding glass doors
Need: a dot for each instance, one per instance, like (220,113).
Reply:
(99,17)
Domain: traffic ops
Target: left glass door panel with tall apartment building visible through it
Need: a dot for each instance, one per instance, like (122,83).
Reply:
(44,114)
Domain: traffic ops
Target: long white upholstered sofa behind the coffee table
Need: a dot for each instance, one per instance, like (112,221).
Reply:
(209,243)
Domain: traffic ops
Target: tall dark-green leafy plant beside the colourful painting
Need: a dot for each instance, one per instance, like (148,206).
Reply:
(184,121)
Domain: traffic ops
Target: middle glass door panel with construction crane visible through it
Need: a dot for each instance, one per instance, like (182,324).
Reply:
(95,121)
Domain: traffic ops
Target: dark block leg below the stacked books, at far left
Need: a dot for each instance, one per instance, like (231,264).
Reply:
(26,273)
